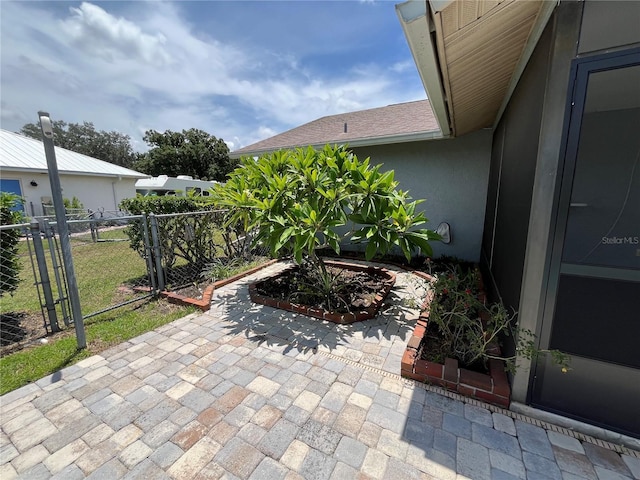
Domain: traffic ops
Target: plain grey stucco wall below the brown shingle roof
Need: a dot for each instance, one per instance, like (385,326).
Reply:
(451,175)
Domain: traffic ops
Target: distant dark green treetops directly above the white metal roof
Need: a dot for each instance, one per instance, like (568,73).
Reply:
(113,147)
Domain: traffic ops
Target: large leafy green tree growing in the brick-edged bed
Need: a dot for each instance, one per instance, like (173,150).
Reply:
(297,201)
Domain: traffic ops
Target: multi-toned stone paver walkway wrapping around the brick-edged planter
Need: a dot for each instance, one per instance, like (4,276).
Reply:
(247,391)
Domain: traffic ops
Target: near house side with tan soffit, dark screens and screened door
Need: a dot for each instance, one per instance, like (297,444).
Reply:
(558,84)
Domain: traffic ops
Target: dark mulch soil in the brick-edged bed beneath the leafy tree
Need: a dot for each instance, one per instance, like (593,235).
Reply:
(357,290)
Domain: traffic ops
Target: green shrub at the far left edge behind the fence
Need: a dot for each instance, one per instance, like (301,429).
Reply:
(10,264)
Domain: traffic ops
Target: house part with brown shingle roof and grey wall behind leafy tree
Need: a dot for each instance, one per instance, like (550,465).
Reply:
(400,137)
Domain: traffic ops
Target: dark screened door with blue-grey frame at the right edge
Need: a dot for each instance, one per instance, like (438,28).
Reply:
(592,310)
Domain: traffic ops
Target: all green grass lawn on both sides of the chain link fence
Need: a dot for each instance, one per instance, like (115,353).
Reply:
(101,269)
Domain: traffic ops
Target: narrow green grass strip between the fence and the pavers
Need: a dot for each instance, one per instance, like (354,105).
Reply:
(102,332)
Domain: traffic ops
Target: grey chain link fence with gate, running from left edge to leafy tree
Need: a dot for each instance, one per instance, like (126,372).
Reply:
(118,259)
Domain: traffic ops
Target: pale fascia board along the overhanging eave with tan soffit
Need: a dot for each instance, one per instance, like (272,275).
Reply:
(414,19)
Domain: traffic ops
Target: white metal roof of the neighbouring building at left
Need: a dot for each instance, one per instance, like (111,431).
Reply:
(18,152)
